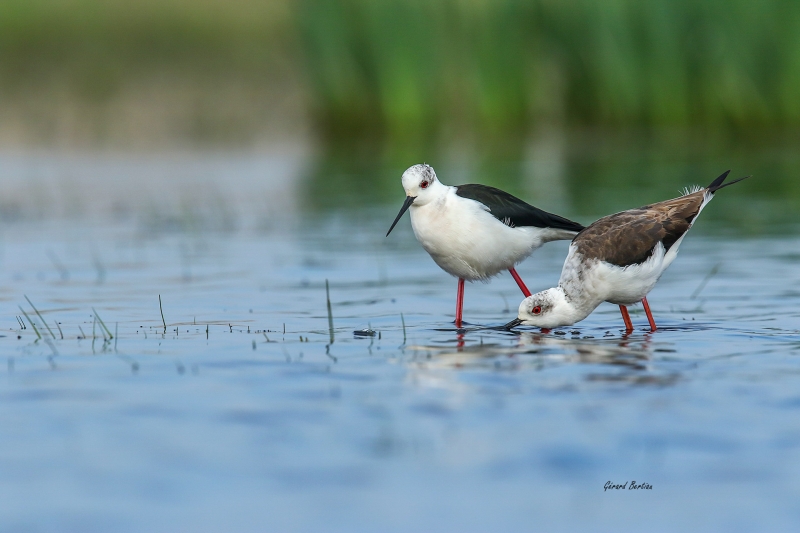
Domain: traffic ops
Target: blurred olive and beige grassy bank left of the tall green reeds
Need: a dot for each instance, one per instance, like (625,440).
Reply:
(146,73)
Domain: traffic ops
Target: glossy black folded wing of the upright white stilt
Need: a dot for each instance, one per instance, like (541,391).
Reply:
(512,211)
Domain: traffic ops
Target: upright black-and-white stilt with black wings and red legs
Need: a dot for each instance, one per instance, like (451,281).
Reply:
(474,232)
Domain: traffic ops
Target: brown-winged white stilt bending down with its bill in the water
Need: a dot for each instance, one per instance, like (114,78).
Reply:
(618,259)
